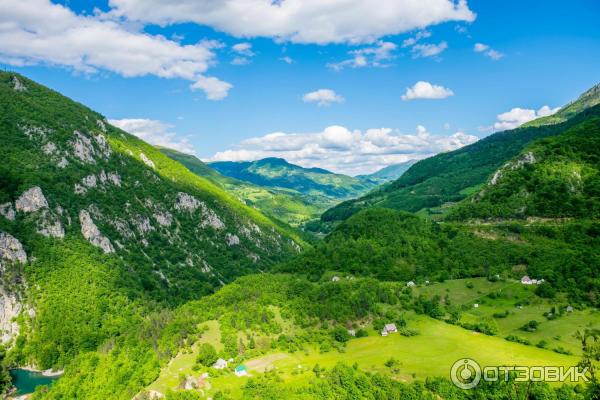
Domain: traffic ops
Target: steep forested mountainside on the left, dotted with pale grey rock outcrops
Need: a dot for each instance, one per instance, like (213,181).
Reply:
(98,229)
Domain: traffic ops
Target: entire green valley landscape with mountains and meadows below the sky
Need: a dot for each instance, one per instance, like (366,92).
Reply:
(129,270)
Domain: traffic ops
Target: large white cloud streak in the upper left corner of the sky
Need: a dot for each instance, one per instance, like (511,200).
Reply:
(40,32)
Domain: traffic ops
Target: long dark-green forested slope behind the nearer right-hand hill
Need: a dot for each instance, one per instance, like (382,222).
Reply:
(451,177)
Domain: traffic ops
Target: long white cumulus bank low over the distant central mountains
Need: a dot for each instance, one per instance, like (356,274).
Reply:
(340,149)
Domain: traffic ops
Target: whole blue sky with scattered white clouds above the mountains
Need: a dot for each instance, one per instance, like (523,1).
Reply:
(137,62)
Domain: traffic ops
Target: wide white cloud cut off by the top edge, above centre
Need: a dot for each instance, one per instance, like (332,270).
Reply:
(300,21)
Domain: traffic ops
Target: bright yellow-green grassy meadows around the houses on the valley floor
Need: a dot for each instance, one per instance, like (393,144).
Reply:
(431,353)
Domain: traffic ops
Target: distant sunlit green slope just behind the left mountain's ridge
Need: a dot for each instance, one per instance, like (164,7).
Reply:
(287,205)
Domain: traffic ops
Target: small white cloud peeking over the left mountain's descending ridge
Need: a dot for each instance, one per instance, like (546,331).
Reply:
(154,132)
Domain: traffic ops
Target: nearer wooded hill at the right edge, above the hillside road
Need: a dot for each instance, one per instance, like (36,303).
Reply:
(556,177)
